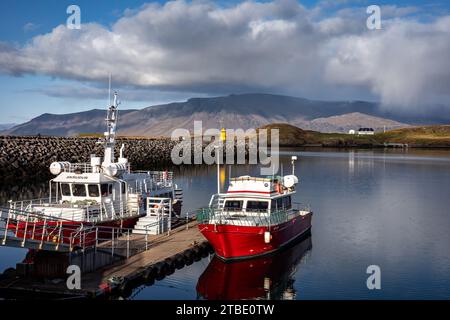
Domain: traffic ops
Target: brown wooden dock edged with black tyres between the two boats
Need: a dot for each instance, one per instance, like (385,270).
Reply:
(164,255)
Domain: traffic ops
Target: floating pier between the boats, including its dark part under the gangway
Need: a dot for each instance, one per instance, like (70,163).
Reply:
(150,258)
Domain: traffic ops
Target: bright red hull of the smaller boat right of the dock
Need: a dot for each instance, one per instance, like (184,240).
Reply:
(239,242)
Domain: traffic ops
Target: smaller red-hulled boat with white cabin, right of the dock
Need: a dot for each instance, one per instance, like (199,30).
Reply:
(255,217)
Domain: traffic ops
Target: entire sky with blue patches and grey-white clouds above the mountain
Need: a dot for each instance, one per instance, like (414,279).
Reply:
(159,52)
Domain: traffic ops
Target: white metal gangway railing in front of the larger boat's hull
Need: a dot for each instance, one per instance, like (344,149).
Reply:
(38,231)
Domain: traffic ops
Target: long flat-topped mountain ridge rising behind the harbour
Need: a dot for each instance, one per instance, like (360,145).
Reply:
(234,111)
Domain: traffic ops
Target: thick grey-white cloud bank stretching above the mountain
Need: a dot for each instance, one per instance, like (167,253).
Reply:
(277,46)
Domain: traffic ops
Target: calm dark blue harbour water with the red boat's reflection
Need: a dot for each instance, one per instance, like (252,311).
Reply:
(389,209)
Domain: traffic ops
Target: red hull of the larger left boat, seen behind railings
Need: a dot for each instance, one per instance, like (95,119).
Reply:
(50,230)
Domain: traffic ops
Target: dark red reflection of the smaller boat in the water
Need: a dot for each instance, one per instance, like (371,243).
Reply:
(270,277)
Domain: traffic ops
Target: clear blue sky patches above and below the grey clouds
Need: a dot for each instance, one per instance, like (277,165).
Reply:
(25,94)
